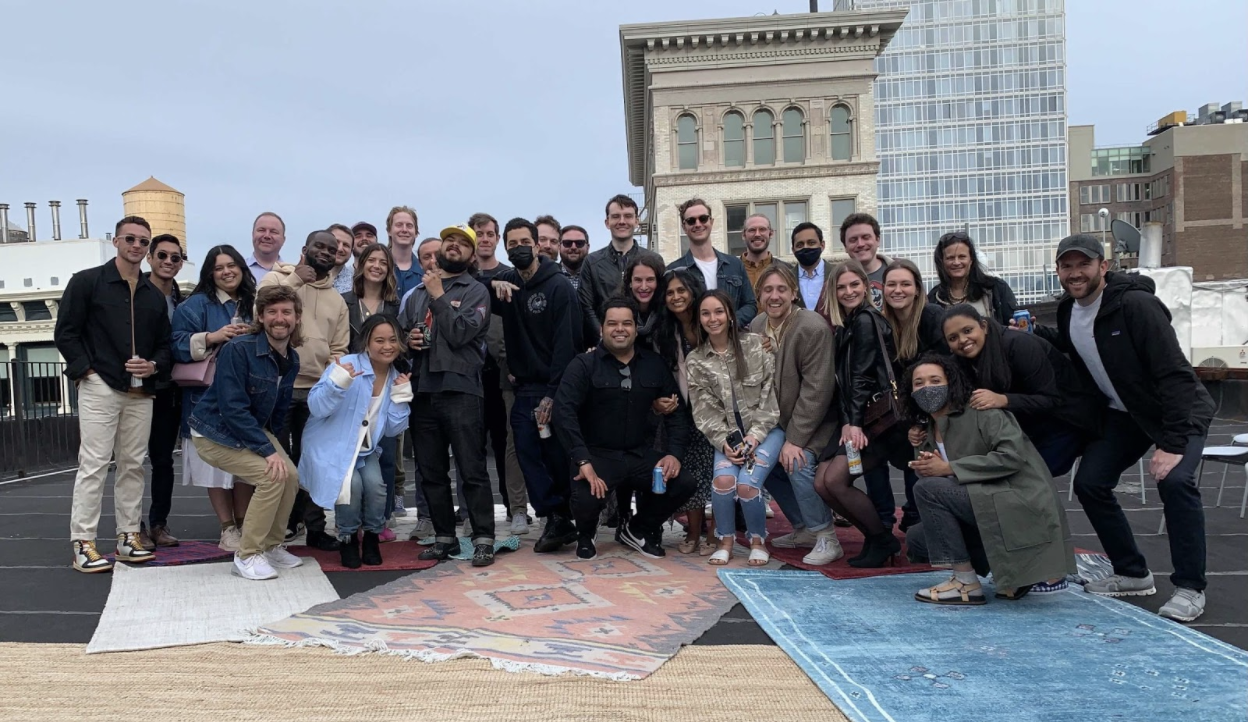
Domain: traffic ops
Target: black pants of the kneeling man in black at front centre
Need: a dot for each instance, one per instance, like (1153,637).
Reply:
(632,471)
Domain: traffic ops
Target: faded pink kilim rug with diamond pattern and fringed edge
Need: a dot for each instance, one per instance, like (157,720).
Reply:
(620,617)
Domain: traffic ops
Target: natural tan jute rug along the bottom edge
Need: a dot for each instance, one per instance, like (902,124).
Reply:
(245,684)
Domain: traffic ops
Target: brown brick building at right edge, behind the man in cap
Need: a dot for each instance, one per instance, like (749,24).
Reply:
(1191,176)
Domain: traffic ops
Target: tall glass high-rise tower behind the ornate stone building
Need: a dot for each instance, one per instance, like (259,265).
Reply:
(970,112)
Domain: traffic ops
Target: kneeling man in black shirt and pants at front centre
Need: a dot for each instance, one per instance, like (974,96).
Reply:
(602,416)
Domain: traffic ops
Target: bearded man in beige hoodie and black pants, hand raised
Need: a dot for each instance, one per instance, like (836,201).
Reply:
(326,332)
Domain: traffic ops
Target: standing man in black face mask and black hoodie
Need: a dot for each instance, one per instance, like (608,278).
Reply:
(542,330)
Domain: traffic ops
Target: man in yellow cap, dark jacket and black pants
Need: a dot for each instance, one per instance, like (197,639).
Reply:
(446,320)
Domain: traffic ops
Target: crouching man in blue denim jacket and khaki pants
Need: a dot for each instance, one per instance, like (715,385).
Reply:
(236,426)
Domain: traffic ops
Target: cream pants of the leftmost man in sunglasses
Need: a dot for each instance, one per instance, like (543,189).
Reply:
(110,423)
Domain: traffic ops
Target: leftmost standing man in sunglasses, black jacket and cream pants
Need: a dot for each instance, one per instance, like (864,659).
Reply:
(113,330)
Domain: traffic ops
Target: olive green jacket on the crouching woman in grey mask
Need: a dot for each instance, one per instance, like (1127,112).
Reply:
(1016,506)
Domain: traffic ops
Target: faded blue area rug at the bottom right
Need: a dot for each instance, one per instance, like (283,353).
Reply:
(882,657)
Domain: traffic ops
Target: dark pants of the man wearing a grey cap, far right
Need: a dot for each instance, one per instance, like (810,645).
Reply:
(1105,460)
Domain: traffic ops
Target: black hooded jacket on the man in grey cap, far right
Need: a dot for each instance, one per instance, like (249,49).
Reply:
(1145,362)
